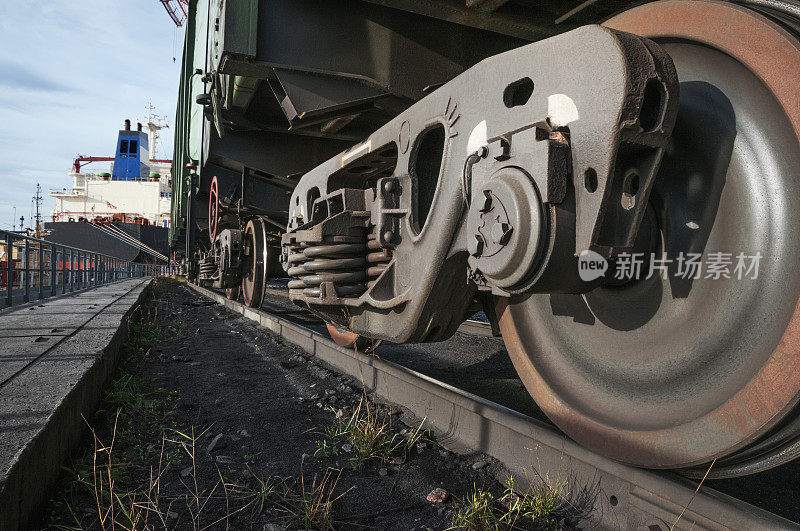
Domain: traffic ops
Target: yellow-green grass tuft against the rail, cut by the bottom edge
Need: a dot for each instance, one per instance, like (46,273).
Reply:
(536,508)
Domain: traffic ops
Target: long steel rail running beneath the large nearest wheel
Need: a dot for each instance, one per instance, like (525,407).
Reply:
(613,495)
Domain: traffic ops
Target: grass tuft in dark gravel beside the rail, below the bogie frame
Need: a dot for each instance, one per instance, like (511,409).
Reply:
(366,434)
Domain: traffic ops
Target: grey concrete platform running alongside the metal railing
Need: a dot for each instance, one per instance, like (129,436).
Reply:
(55,359)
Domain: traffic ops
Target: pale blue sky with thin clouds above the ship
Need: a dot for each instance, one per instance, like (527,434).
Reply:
(71,71)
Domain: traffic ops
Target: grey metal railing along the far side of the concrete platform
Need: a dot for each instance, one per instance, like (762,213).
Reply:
(32,269)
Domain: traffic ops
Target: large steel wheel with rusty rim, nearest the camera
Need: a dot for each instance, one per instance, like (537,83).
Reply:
(672,373)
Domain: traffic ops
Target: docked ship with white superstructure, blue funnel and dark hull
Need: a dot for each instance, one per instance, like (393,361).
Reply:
(123,212)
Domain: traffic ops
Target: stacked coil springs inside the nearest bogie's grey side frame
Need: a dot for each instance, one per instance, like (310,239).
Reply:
(352,267)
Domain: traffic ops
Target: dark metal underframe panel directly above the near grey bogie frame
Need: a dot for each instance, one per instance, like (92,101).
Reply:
(399,51)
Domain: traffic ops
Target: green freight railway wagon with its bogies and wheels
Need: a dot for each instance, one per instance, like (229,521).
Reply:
(405,168)
